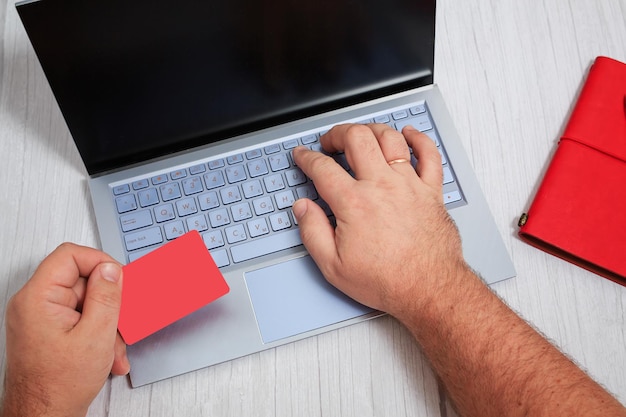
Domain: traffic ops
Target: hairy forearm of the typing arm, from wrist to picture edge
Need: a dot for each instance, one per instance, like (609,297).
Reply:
(492,363)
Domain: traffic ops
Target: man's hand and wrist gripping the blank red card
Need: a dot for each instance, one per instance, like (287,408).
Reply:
(62,340)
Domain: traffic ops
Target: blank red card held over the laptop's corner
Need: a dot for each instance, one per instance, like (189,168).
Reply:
(166,285)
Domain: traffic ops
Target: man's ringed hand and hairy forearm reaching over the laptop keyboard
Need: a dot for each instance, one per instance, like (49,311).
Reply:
(396,249)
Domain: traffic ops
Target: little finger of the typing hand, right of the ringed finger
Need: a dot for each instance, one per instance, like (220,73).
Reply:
(428,156)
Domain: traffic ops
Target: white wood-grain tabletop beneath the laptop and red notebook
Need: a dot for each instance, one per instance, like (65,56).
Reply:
(509,71)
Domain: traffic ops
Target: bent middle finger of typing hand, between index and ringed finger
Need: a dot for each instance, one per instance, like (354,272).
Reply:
(360,146)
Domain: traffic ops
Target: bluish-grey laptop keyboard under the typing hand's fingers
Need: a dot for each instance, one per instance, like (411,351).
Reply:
(241,204)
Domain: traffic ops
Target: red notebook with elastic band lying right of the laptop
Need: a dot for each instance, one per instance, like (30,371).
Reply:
(579,211)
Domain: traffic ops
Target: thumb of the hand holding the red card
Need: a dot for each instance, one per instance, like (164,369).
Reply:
(103,298)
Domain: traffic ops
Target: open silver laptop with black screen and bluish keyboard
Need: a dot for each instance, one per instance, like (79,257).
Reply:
(185,114)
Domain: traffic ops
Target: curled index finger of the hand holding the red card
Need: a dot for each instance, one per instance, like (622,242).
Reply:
(67,263)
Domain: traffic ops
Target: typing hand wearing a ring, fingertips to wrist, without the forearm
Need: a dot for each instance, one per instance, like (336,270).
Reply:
(386,216)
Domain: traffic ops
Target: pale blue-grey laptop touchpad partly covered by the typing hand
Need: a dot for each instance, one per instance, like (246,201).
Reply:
(294,297)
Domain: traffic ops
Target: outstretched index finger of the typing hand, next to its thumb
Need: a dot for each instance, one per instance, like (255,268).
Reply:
(329,177)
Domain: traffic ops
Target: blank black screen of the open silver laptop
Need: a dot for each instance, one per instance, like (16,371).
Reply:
(137,79)
